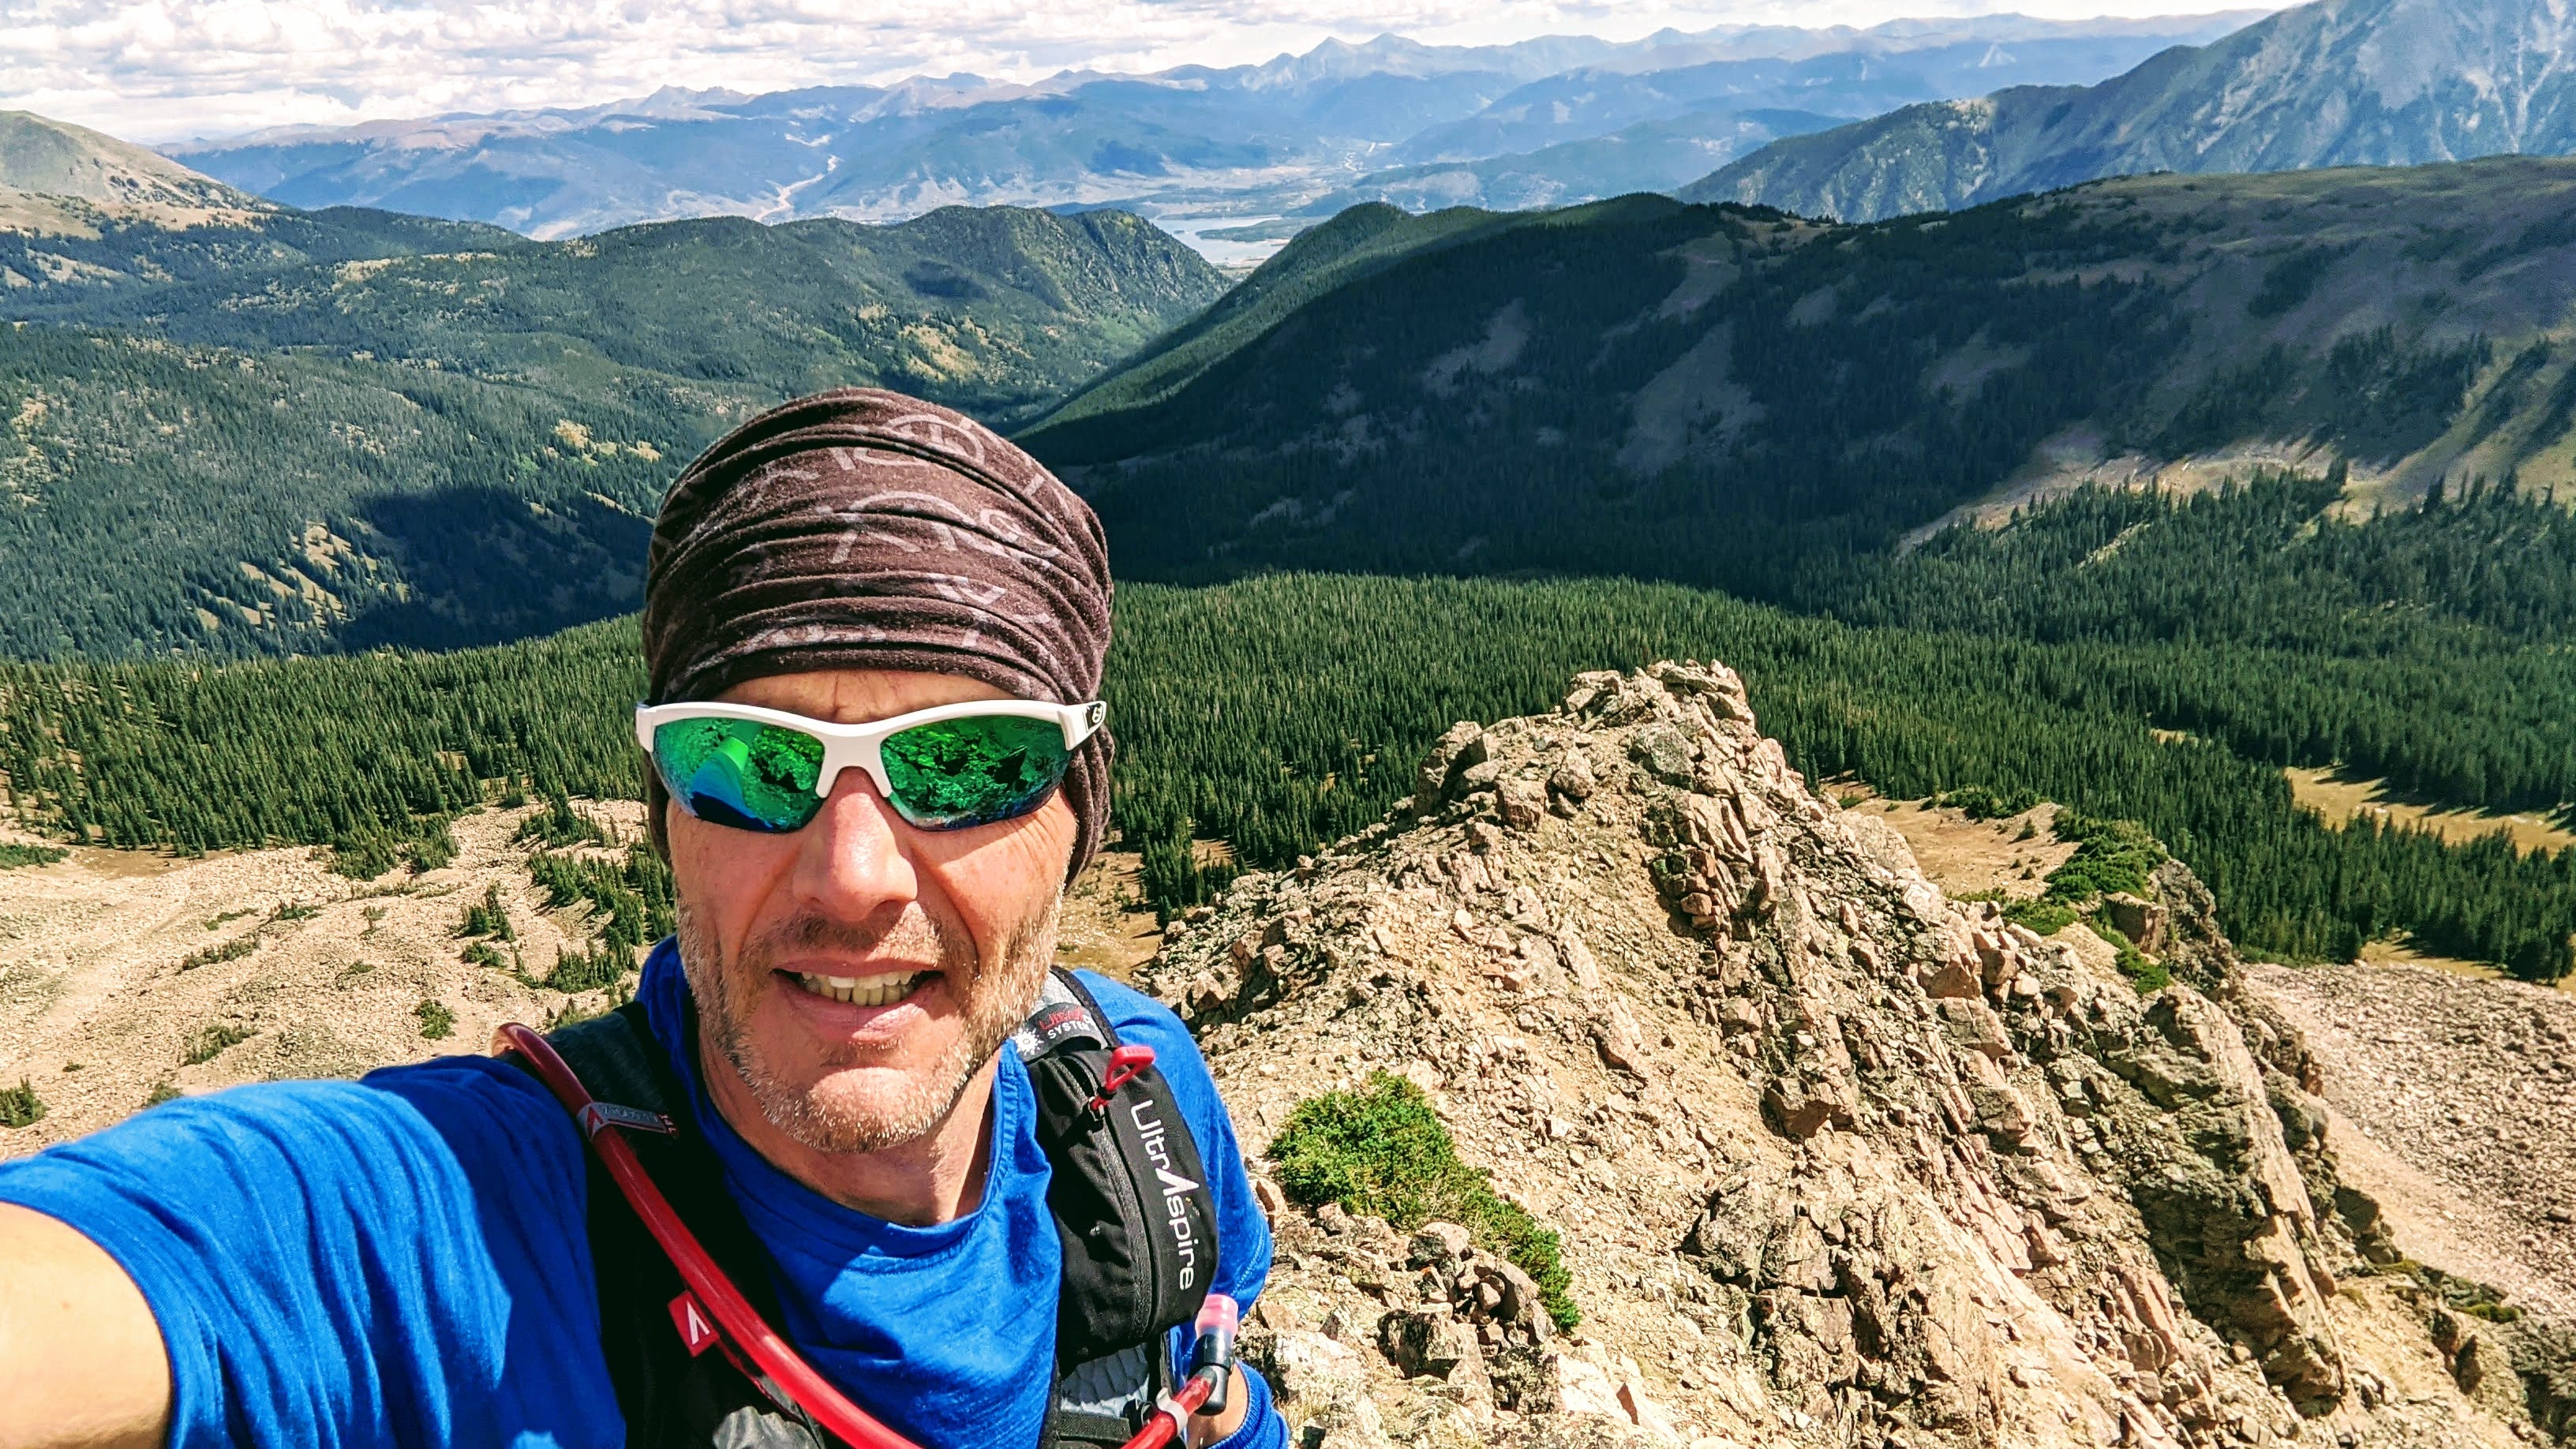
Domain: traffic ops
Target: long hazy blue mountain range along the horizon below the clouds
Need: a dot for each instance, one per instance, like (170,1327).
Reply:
(1179,146)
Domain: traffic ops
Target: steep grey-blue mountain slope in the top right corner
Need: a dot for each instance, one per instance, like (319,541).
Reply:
(2330,84)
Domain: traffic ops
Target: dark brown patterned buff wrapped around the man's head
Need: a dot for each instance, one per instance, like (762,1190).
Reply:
(880,532)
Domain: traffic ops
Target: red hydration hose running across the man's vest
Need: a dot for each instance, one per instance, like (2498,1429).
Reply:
(735,1319)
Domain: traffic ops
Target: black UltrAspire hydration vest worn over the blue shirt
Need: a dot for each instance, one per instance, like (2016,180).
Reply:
(1127,1192)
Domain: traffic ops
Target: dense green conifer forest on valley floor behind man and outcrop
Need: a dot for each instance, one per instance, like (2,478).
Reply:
(1287,713)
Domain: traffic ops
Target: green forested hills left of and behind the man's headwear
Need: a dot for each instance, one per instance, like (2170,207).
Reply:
(331,432)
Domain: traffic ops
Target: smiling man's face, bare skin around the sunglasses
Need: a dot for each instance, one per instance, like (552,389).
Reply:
(947,935)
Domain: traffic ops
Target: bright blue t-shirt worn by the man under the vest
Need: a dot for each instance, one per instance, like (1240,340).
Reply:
(403,1259)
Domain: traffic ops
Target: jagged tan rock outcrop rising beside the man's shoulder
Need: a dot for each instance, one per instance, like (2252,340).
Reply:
(1835,1159)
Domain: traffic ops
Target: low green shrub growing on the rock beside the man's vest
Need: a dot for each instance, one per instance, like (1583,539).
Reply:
(1385,1154)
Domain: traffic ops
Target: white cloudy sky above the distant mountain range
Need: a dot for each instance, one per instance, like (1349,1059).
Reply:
(161,71)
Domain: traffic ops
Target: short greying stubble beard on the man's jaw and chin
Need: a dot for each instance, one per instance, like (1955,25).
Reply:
(826,1113)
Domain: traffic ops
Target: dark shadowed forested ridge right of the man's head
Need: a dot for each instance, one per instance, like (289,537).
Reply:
(1738,398)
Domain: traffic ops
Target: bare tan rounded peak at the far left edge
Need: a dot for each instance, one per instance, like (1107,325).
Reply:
(68,179)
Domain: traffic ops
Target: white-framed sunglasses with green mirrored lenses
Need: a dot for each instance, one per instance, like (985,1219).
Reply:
(944,770)
